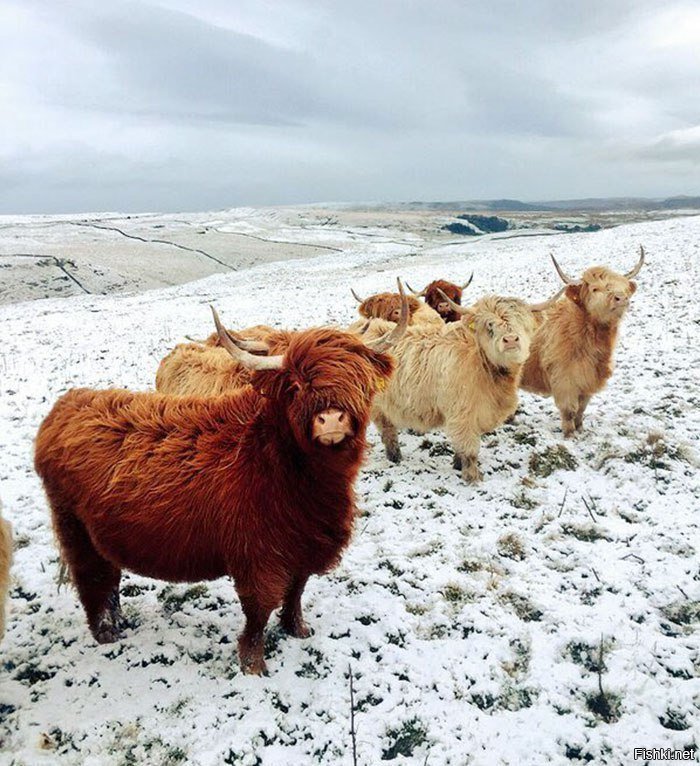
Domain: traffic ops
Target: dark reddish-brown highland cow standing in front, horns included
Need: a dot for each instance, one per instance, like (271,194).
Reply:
(256,484)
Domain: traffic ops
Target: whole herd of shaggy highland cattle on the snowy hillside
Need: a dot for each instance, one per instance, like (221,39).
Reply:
(243,461)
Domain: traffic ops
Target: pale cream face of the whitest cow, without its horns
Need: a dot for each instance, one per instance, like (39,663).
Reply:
(503,328)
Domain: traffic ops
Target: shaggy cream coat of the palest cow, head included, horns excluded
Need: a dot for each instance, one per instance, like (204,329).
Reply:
(459,377)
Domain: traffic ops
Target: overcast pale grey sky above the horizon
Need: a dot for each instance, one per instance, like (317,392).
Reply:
(204,104)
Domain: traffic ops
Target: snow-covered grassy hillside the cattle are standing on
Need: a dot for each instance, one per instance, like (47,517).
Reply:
(479,624)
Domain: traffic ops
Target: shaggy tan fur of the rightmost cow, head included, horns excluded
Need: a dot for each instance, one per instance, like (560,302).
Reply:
(571,353)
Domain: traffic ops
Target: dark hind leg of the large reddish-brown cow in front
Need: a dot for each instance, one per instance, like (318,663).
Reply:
(96,580)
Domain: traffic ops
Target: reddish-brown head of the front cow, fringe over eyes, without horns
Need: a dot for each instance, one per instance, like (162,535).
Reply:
(326,387)
